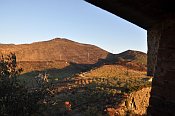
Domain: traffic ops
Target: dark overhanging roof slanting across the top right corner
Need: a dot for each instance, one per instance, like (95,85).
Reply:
(143,13)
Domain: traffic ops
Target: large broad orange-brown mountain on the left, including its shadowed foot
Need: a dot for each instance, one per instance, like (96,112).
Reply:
(62,54)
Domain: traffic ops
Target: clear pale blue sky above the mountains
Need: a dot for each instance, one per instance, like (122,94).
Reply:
(27,21)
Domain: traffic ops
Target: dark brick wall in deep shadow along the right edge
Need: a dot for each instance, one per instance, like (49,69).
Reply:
(162,100)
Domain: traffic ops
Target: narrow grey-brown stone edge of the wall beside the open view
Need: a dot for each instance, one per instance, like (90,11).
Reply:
(153,37)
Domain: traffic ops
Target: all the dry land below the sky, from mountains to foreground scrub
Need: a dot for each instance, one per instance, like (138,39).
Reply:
(75,80)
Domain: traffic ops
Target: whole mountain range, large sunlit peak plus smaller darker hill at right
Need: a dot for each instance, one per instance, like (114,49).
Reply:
(65,58)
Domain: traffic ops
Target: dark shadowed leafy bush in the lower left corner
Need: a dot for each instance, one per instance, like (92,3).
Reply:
(16,99)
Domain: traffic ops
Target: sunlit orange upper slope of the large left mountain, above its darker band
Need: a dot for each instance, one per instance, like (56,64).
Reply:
(54,50)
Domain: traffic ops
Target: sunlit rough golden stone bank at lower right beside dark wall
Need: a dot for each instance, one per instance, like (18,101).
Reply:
(135,103)
